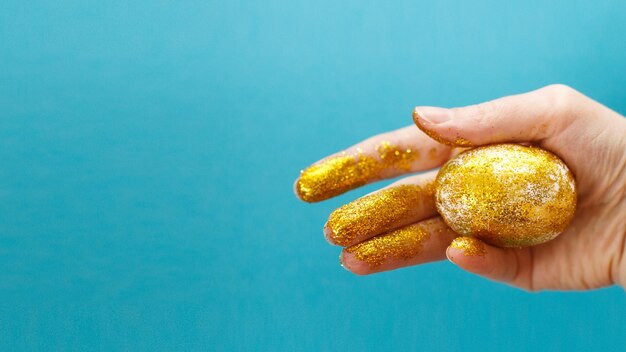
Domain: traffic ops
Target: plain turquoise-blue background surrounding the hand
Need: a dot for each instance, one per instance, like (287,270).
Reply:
(148,150)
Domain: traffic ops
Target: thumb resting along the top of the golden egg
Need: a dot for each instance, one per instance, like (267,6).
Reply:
(532,116)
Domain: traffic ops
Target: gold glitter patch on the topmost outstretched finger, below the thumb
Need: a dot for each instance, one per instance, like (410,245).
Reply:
(339,174)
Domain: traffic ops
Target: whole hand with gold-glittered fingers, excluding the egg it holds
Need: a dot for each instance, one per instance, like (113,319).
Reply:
(398,226)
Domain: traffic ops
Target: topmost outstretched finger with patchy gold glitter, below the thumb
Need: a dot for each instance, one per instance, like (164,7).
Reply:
(380,157)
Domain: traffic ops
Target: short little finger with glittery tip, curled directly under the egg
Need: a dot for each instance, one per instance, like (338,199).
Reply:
(504,265)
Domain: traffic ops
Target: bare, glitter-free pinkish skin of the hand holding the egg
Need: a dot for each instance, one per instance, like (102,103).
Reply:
(588,136)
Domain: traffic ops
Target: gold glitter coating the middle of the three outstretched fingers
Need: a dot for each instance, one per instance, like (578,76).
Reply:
(379,212)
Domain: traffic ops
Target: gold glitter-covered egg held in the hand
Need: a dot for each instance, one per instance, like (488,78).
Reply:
(507,195)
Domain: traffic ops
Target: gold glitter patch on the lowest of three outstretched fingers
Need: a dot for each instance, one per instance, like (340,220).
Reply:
(402,244)
